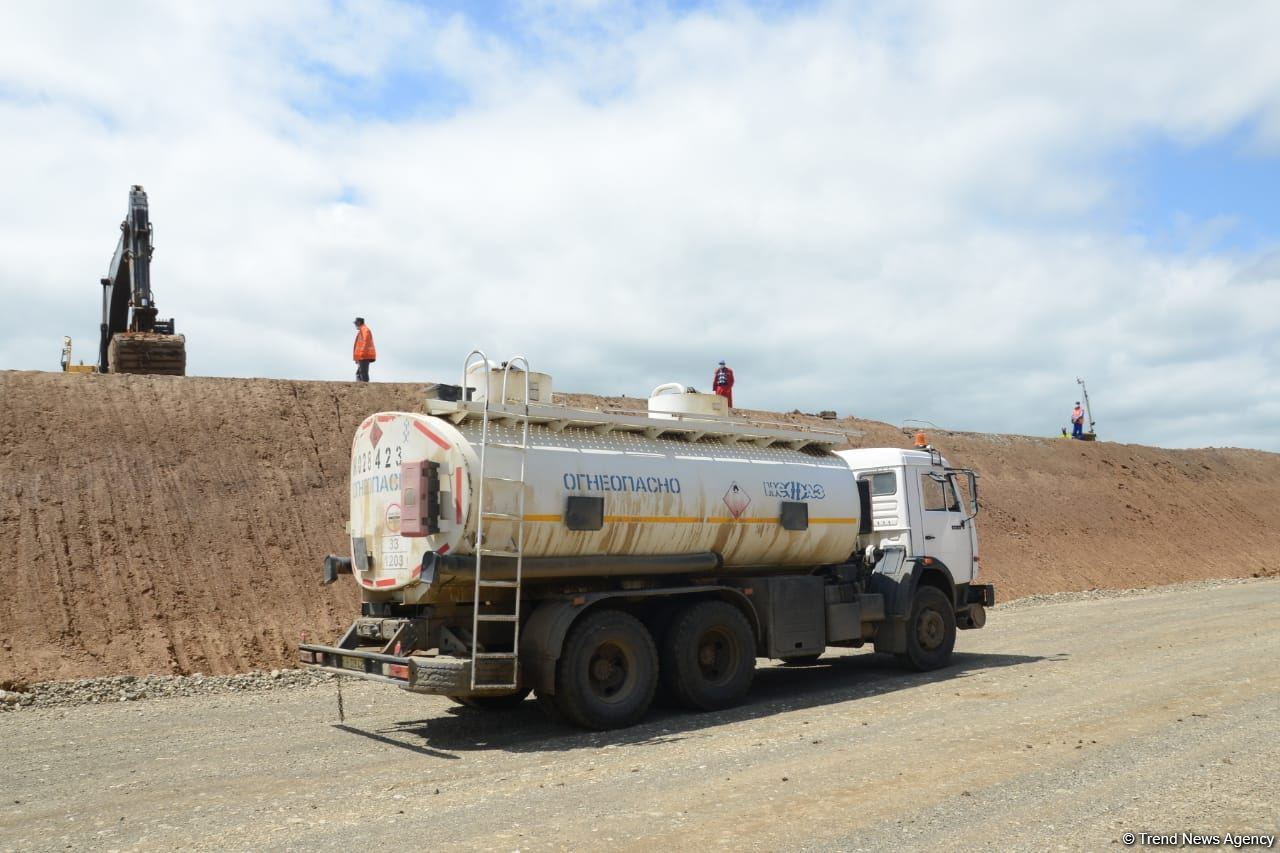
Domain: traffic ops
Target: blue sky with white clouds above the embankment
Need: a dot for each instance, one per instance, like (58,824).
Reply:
(945,212)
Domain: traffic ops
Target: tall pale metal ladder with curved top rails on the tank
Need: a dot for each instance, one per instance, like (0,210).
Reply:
(484,585)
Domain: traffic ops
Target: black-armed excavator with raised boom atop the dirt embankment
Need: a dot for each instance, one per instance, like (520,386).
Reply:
(134,339)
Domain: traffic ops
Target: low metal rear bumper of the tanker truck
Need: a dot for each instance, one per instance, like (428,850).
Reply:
(435,676)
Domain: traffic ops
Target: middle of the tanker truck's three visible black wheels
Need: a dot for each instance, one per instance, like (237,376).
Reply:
(708,656)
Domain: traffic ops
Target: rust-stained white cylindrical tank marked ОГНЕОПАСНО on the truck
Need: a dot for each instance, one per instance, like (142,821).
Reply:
(653,496)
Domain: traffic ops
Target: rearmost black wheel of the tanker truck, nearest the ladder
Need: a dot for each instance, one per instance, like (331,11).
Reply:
(607,672)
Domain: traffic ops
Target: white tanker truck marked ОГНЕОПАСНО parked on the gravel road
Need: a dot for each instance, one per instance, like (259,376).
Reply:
(505,545)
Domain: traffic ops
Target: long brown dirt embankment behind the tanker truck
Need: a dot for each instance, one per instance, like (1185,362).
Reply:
(166,524)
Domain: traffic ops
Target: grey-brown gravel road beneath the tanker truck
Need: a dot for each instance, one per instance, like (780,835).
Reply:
(1062,726)
